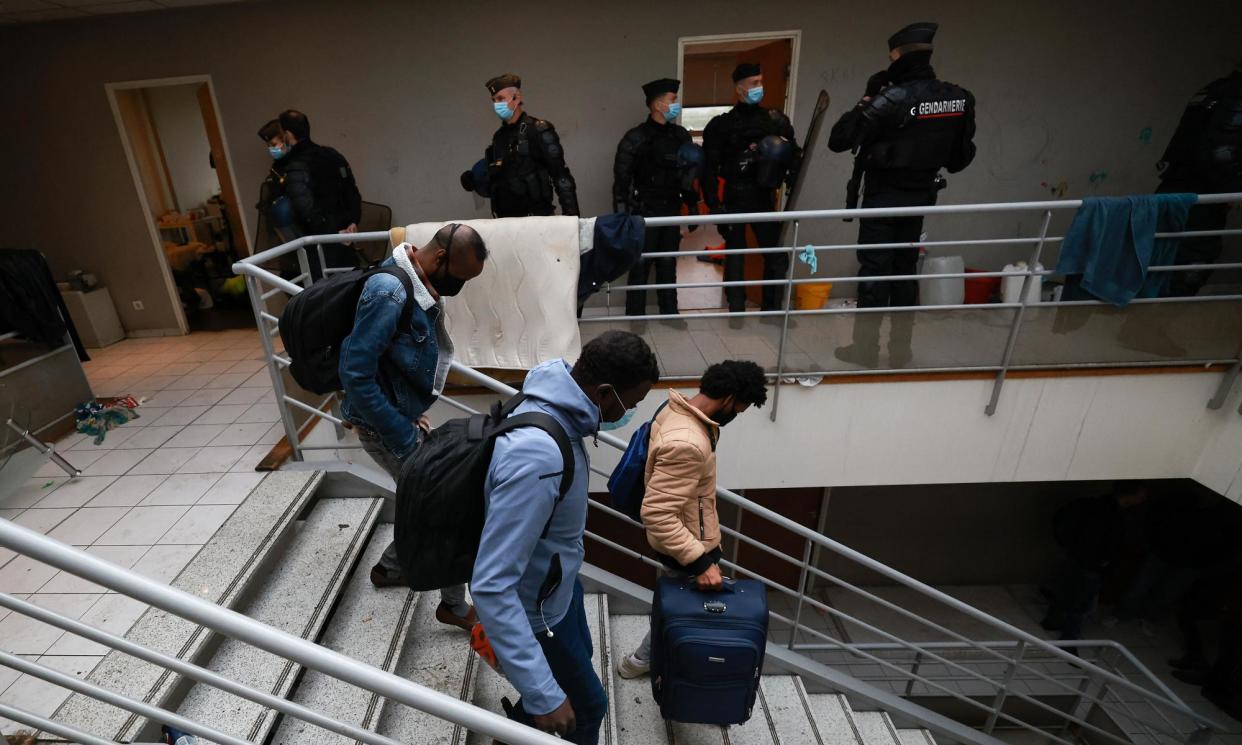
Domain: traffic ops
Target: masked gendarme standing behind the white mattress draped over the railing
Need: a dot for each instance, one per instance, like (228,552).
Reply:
(526,162)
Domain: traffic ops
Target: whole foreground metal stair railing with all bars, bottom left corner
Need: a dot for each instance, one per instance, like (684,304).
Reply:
(184,605)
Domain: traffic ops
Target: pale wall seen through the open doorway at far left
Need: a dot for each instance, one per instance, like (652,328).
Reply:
(184,141)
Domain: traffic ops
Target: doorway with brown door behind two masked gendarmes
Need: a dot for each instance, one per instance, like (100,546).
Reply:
(705,65)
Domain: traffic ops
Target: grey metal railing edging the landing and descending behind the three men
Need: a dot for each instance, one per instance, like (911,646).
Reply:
(1099,687)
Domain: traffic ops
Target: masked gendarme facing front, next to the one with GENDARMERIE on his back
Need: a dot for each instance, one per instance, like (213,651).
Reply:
(752,174)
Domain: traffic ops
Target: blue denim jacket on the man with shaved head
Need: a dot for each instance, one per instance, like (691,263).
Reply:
(389,374)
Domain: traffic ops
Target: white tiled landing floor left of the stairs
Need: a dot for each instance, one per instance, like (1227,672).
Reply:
(152,494)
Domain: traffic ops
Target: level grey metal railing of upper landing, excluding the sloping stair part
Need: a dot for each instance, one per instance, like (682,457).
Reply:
(264,285)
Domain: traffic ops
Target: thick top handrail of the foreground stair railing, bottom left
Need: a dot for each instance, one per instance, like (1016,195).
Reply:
(232,624)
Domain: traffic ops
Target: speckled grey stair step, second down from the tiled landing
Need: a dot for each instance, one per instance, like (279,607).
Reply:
(297,598)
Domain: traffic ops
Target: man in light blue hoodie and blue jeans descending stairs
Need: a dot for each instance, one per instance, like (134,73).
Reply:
(526,584)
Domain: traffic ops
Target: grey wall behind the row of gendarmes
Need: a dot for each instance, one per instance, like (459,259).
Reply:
(1065,91)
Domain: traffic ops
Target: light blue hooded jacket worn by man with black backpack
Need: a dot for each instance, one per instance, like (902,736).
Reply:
(514,561)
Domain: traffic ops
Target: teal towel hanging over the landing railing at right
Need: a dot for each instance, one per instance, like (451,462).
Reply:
(1112,243)
